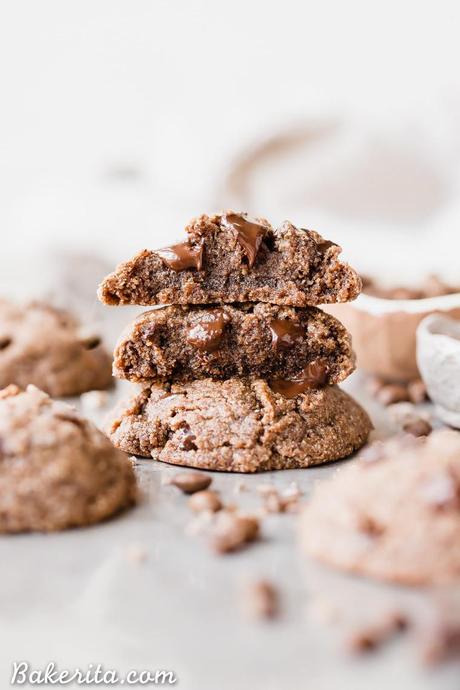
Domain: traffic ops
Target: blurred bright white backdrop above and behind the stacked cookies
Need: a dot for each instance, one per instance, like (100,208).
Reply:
(120,120)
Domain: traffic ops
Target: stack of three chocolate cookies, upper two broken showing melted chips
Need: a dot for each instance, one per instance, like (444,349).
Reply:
(239,372)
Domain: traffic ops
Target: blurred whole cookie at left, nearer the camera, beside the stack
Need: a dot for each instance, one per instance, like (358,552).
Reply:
(57,470)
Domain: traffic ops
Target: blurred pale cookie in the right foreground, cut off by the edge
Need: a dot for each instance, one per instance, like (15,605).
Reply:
(394,515)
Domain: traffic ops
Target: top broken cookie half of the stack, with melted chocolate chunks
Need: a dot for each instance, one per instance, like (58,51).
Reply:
(231,258)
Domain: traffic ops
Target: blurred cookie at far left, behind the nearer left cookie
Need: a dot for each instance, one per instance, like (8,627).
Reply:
(48,348)
